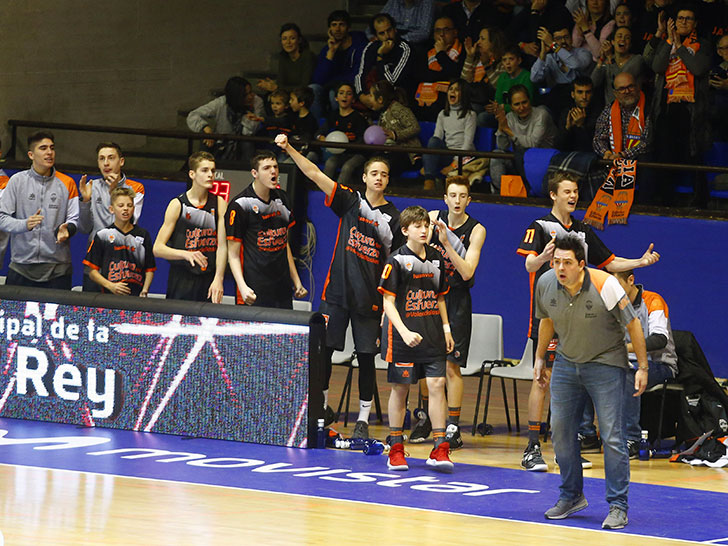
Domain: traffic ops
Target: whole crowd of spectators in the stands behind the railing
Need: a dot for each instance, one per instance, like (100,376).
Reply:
(533,74)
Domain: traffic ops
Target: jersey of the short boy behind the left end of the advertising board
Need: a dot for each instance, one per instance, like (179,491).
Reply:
(122,257)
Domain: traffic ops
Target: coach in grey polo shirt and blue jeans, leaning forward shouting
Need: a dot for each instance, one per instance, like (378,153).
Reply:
(589,310)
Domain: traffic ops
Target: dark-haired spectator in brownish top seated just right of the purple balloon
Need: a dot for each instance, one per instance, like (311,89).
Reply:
(399,124)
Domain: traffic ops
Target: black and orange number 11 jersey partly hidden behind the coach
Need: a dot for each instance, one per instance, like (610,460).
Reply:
(537,236)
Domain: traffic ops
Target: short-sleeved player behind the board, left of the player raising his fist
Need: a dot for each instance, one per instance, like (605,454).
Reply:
(260,257)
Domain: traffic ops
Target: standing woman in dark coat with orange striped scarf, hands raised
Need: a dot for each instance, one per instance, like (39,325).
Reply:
(681,100)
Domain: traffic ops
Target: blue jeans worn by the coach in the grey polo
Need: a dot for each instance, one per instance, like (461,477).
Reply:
(570,385)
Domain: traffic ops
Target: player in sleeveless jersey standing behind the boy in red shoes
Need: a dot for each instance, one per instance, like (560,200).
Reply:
(460,240)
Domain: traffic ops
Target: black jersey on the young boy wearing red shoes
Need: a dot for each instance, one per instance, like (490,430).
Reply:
(416,284)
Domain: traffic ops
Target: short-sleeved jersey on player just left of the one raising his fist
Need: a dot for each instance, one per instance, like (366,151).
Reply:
(262,229)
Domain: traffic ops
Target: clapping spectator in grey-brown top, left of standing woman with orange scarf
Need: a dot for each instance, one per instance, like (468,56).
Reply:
(616,57)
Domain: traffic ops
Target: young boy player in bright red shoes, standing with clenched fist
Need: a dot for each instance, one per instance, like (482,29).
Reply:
(416,334)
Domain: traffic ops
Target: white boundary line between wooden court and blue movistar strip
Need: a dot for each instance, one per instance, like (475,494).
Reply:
(544,524)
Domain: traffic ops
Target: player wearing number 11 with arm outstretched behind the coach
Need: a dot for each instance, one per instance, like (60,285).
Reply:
(537,246)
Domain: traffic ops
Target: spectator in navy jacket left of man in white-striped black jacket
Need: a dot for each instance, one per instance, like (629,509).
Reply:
(338,61)
